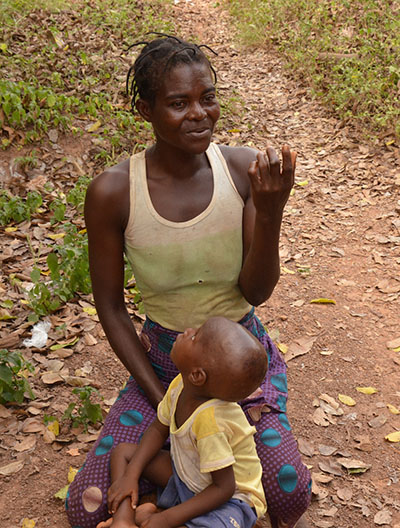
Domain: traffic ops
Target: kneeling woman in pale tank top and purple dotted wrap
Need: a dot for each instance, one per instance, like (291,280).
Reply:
(200,224)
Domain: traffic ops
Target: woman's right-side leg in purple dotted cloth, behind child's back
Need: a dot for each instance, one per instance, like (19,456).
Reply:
(286,480)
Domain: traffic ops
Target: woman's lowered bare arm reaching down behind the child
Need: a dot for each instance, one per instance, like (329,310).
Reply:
(106,216)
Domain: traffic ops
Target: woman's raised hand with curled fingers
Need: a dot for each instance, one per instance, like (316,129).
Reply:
(271,184)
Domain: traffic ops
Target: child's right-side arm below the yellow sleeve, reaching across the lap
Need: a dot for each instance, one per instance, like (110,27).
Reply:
(220,491)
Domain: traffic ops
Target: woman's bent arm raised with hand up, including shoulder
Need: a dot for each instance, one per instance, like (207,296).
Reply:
(265,188)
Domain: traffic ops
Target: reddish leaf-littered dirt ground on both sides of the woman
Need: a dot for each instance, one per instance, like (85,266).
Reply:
(340,242)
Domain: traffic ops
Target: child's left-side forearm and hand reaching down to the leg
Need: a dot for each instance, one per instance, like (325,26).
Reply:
(127,486)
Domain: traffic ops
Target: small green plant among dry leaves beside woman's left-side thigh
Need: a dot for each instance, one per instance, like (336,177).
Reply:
(87,412)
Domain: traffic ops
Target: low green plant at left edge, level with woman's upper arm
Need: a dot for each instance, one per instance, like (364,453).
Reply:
(17,209)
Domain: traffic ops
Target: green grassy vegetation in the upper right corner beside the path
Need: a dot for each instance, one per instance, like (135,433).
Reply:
(346,51)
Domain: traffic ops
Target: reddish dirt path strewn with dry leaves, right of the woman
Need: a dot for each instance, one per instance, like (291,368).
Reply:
(341,240)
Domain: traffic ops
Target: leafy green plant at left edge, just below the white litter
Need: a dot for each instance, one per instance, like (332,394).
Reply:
(14,386)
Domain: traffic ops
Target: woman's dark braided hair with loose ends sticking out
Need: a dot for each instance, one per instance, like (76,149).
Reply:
(156,58)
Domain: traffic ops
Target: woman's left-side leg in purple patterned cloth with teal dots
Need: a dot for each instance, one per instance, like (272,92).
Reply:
(128,418)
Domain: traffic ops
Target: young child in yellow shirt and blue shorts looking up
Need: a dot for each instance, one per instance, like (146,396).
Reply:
(212,476)
